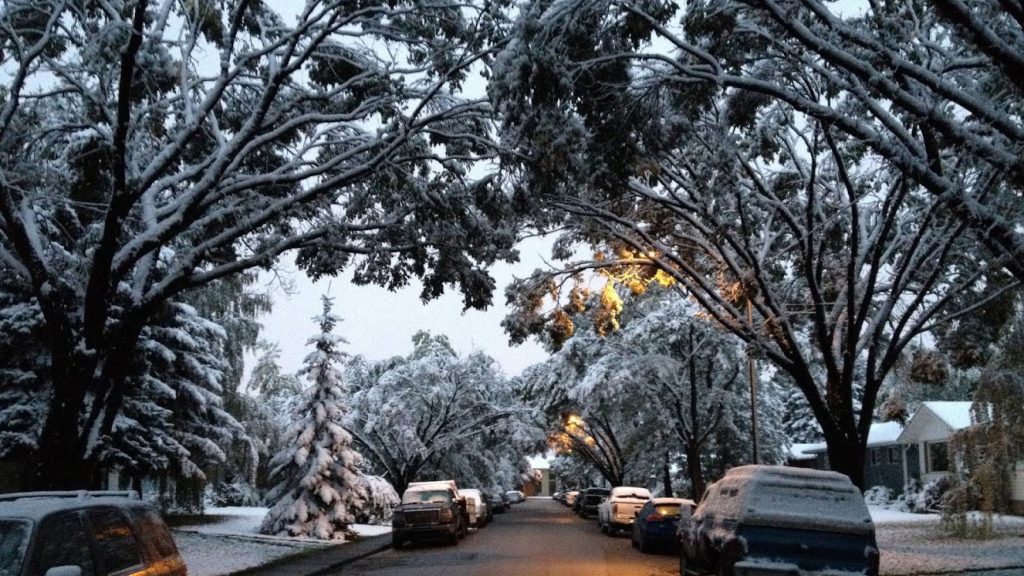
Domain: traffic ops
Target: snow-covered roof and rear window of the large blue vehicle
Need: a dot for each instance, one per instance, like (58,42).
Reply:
(791,498)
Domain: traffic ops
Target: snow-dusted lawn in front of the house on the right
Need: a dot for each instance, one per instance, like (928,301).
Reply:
(916,545)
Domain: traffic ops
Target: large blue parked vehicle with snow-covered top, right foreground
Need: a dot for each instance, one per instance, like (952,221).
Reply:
(780,520)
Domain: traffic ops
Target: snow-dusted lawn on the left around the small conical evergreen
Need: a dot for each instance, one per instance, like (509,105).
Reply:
(233,544)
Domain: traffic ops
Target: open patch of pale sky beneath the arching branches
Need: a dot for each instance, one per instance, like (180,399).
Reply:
(380,324)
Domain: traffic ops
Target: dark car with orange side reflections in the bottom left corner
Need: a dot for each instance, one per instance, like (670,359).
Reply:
(84,532)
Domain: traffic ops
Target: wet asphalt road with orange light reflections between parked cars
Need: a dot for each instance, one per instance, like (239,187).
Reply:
(539,538)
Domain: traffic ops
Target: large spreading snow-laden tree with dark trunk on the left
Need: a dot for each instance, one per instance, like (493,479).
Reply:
(150,148)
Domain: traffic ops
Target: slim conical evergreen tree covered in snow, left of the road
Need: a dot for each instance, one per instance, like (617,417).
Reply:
(319,491)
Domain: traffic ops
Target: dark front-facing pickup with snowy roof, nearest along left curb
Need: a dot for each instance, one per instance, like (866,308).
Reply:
(431,511)
